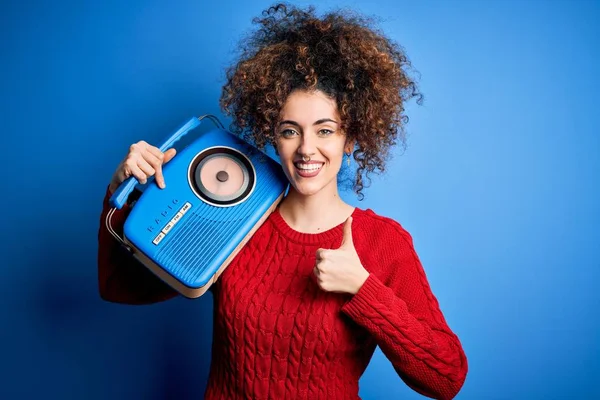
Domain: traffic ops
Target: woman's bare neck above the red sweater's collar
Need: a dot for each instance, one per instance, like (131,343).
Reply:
(315,213)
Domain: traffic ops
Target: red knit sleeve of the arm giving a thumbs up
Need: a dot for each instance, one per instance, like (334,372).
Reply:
(404,317)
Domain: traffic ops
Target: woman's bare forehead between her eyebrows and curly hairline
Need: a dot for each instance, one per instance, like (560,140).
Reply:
(309,106)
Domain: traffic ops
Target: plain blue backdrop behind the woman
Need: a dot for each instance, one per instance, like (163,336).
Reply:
(499,188)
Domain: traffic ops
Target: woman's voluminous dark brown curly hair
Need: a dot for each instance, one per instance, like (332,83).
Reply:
(339,54)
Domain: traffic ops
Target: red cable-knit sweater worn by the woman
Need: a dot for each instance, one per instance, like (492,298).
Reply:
(277,335)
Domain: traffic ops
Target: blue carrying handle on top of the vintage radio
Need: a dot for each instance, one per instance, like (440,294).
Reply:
(121,194)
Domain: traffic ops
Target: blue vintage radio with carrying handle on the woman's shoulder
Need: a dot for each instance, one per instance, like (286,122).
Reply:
(220,189)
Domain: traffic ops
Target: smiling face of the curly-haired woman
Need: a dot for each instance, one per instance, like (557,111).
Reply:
(310,142)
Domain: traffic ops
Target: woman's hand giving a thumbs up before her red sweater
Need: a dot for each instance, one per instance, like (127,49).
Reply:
(340,270)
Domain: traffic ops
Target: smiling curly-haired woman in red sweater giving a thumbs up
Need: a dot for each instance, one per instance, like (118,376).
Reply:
(301,309)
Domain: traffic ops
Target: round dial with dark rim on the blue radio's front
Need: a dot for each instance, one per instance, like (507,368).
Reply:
(222,176)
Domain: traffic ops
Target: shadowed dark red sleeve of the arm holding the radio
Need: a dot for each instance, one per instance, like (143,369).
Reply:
(121,277)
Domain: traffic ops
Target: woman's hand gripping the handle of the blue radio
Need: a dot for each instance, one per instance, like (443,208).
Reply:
(142,161)
